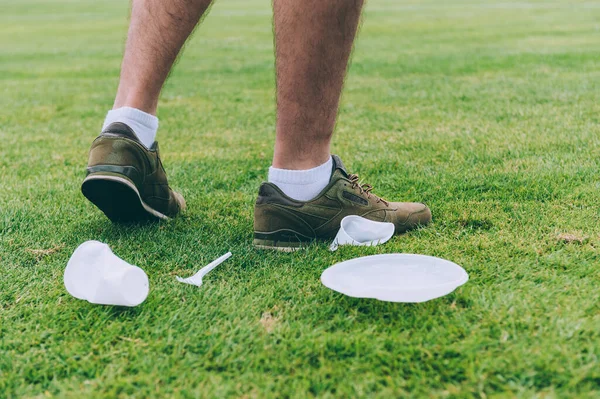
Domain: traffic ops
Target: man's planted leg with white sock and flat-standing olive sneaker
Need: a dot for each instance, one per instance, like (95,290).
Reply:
(309,190)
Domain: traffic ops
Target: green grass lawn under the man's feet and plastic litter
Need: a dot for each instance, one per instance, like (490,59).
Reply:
(488,111)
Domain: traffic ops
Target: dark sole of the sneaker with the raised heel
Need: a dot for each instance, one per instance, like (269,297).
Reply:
(119,199)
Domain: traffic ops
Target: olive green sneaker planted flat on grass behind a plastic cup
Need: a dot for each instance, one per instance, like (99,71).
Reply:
(283,223)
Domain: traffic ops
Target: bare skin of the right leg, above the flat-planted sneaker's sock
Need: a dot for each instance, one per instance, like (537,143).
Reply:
(313,41)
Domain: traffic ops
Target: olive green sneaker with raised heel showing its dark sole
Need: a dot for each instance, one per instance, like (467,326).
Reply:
(126,180)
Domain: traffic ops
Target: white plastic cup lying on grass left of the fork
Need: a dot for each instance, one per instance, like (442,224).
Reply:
(95,274)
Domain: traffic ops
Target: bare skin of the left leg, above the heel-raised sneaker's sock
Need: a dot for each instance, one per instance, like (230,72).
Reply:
(157,31)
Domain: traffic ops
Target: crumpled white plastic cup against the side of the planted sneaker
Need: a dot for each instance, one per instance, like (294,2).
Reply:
(356,230)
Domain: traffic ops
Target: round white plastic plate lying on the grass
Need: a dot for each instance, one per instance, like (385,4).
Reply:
(395,277)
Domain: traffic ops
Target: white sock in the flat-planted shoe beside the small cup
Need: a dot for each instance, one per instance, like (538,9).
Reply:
(302,185)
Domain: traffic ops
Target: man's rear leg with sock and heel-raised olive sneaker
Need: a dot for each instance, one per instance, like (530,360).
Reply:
(126,179)
